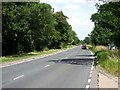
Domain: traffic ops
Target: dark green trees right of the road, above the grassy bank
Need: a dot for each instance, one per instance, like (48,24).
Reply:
(107,25)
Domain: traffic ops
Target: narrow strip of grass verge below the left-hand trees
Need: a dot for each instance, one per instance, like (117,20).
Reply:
(34,54)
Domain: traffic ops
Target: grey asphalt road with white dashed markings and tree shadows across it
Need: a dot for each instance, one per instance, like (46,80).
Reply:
(68,69)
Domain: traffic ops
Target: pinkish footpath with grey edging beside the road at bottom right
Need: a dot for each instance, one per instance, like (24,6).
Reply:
(103,80)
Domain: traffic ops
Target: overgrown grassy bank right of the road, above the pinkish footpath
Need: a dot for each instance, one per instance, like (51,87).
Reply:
(108,60)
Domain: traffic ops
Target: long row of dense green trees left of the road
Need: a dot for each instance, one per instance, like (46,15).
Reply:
(28,26)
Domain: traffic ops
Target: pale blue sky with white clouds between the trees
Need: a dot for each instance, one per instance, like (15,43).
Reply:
(79,13)
